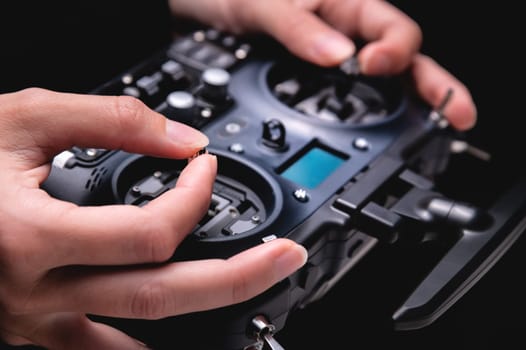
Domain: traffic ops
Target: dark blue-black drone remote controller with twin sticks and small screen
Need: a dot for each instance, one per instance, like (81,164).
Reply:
(335,160)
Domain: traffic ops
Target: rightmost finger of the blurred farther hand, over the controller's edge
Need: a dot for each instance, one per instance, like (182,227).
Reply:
(432,83)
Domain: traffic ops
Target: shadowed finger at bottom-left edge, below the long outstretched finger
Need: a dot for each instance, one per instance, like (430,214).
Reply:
(66,331)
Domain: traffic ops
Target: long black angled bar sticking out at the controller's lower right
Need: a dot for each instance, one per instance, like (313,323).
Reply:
(466,262)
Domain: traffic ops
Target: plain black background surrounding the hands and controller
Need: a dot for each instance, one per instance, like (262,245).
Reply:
(75,46)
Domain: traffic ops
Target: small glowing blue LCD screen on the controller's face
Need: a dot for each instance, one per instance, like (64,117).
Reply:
(313,167)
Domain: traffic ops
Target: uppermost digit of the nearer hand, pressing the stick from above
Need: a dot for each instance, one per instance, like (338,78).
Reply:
(57,121)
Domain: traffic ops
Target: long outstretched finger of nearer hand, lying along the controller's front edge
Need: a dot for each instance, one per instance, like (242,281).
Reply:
(170,289)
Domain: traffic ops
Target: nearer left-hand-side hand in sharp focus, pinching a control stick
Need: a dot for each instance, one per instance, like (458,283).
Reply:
(59,261)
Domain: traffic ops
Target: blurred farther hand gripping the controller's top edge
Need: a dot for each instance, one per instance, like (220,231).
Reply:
(322,31)
